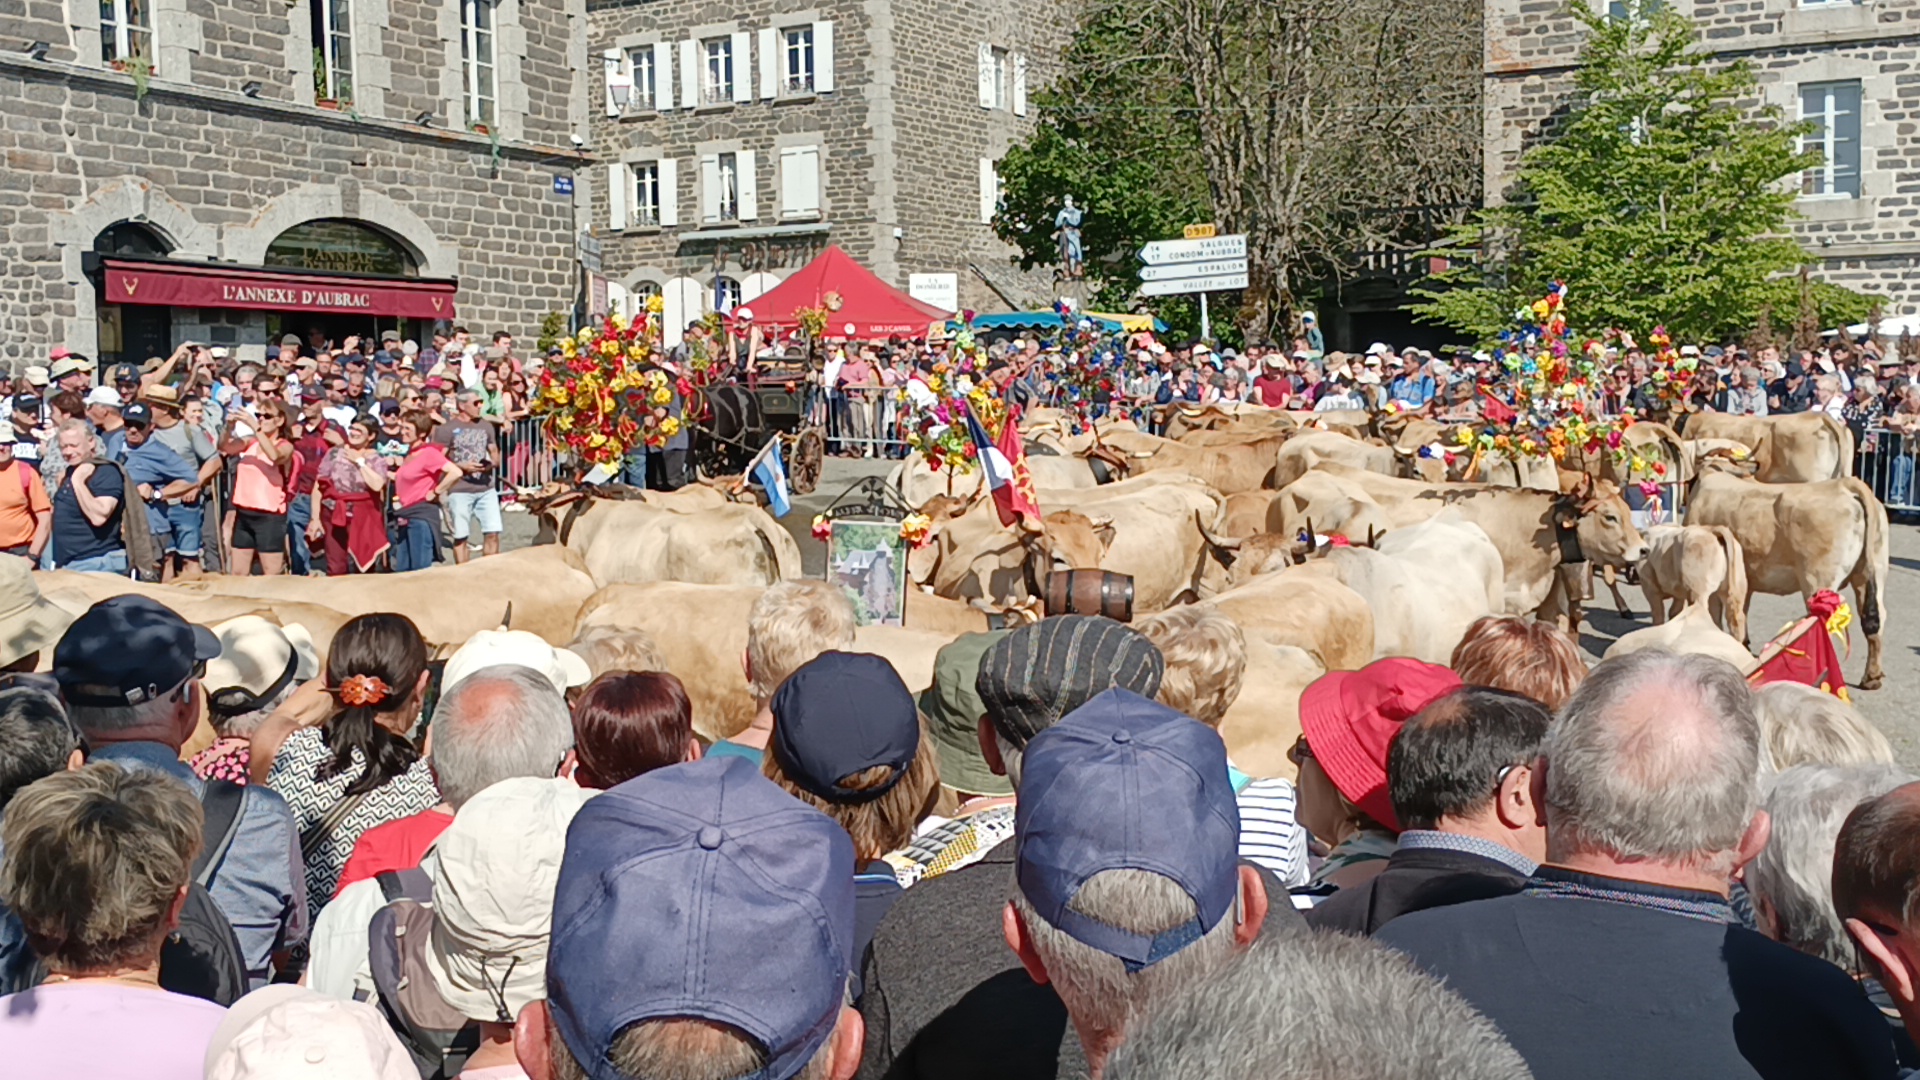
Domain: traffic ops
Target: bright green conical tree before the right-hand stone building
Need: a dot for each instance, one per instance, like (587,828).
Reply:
(1662,199)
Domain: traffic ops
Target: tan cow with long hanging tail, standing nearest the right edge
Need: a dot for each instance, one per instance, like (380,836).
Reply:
(1802,539)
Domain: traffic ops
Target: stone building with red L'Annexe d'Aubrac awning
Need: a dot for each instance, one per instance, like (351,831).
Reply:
(235,170)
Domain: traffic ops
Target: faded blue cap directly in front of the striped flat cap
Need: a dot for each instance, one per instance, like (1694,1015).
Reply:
(1128,785)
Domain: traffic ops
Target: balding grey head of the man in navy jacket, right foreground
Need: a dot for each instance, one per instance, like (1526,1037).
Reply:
(1654,758)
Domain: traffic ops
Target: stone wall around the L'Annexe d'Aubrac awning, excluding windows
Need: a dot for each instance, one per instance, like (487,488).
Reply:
(228,149)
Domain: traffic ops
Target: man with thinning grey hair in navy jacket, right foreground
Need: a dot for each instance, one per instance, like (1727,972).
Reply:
(1621,956)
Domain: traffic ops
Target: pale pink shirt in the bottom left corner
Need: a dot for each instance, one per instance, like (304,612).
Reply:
(107,1033)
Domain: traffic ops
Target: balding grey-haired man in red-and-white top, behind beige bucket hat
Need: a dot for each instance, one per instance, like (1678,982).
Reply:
(500,724)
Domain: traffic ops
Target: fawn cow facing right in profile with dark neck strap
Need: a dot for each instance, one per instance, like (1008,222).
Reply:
(1535,531)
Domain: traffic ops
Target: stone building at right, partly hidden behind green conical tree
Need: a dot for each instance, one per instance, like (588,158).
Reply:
(1844,66)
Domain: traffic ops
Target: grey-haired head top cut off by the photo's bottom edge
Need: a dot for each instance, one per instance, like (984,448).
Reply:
(1318,1006)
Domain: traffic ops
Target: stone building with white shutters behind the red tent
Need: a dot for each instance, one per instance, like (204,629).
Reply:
(738,143)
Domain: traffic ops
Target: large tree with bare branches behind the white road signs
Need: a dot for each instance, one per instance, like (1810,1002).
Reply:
(1310,126)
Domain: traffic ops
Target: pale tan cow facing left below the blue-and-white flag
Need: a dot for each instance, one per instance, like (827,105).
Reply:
(631,541)
